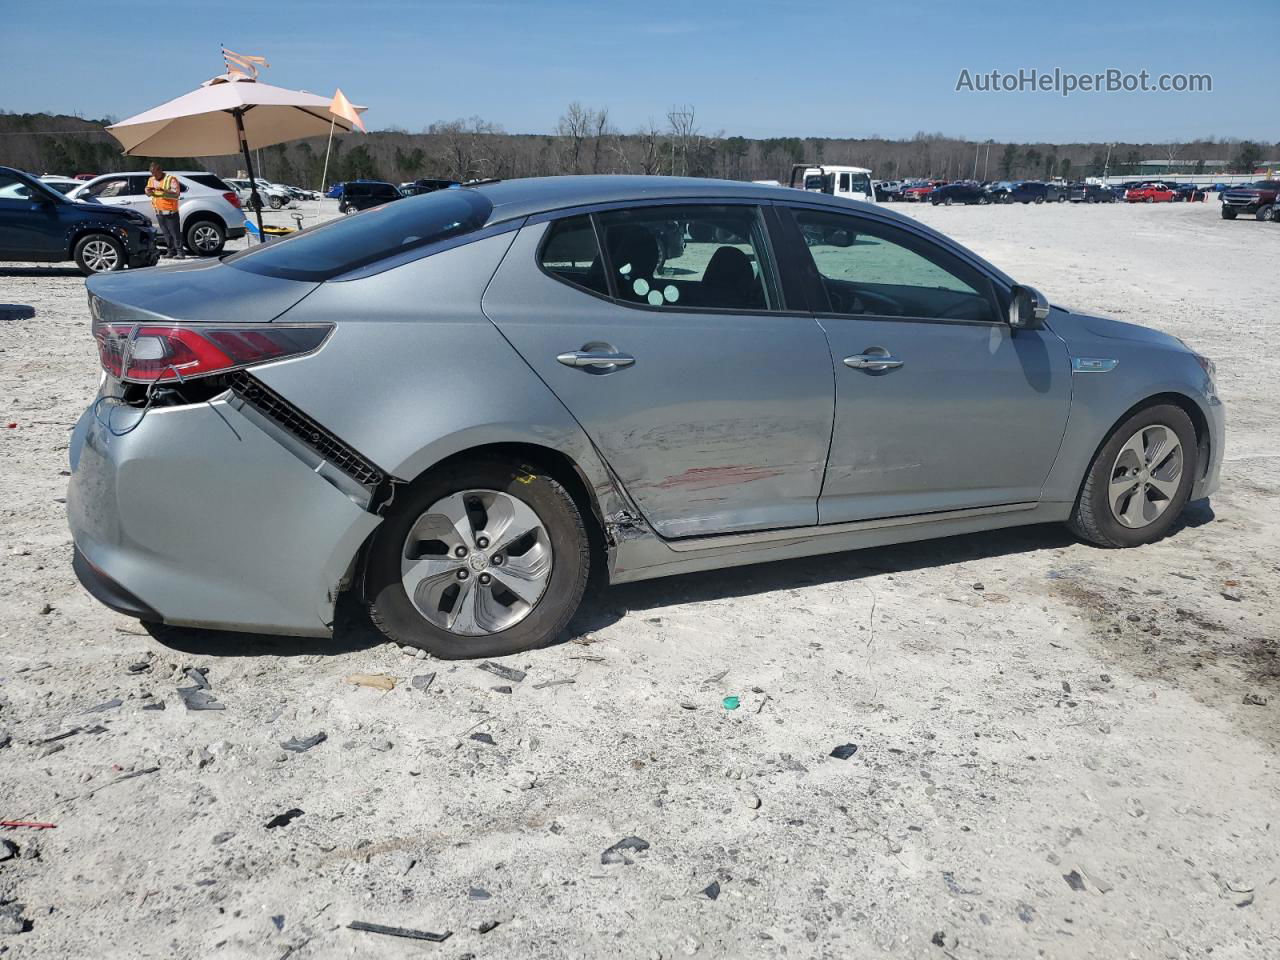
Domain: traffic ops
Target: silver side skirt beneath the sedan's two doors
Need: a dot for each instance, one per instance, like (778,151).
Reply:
(650,556)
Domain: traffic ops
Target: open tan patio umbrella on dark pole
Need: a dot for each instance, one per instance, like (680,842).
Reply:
(232,113)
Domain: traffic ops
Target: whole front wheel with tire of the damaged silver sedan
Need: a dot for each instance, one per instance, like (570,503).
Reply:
(1140,481)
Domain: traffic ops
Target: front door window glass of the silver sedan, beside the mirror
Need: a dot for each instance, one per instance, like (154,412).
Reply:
(871,269)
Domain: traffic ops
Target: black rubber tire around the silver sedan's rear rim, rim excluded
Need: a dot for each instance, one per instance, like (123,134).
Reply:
(396,615)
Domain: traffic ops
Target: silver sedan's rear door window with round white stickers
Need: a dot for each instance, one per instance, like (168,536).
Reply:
(689,257)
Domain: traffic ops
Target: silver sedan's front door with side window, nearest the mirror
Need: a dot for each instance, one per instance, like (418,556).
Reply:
(940,405)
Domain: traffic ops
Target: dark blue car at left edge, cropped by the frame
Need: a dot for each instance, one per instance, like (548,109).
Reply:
(39,223)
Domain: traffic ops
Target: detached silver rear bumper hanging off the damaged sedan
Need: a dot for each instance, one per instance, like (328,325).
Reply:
(198,518)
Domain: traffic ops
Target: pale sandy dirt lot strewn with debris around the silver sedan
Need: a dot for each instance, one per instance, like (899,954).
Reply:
(1063,752)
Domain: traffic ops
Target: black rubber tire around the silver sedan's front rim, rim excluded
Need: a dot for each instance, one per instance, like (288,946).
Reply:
(1092,519)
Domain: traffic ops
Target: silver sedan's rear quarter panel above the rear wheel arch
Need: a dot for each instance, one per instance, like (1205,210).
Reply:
(415,373)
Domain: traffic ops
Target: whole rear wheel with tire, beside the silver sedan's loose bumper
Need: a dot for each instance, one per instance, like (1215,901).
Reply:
(482,560)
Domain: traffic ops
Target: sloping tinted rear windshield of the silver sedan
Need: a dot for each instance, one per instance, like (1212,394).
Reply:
(351,243)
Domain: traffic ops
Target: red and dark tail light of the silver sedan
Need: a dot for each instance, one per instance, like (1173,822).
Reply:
(175,353)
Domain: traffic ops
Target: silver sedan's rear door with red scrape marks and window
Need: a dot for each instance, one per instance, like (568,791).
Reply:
(710,400)
